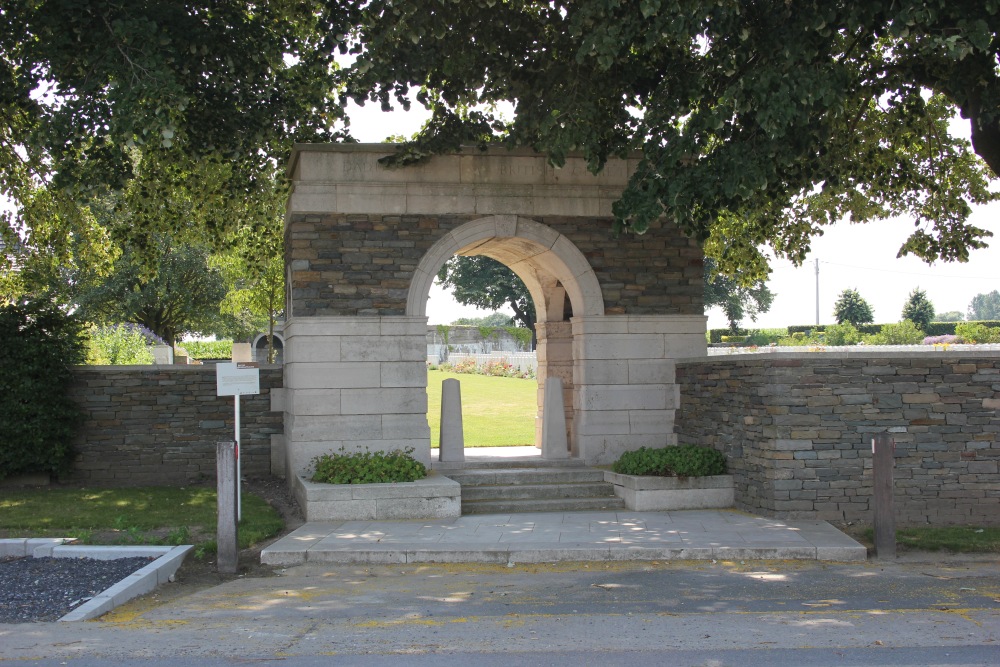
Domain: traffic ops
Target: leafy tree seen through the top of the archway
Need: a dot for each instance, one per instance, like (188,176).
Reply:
(486,283)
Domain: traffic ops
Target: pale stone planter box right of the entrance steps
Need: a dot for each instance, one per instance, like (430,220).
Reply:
(649,494)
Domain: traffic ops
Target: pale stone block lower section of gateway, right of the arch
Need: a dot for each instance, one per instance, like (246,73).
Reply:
(625,392)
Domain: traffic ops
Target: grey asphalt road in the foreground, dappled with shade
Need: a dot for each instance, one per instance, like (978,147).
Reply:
(691,613)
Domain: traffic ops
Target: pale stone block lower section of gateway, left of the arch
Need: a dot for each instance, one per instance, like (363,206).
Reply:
(355,383)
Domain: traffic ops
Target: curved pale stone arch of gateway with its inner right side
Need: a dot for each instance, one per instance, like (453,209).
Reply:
(555,273)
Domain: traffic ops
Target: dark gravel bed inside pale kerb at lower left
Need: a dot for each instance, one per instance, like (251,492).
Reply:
(46,589)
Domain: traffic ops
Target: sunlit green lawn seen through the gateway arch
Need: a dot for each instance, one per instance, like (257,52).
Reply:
(496,411)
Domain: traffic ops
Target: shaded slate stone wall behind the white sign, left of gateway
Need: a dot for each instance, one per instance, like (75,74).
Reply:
(158,425)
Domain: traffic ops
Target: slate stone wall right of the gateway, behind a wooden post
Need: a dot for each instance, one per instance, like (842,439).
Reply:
(797,431)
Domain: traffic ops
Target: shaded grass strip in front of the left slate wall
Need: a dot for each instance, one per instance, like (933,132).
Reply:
(141,515)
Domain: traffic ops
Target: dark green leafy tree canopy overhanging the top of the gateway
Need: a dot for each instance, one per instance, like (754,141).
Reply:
(759,123)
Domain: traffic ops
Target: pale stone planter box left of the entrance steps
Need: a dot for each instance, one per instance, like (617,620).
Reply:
(434,497)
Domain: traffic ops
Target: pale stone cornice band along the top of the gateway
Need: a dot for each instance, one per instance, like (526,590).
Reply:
(347,179)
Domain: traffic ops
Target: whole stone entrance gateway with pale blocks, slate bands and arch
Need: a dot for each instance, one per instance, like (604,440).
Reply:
(364,243)
